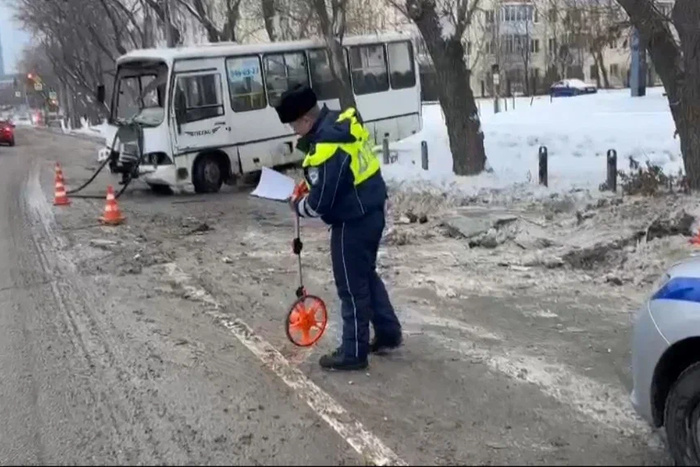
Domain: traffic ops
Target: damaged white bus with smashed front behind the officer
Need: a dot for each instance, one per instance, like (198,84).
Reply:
(207,113)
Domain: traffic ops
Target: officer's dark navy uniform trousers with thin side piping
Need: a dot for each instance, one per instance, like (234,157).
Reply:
(364,299)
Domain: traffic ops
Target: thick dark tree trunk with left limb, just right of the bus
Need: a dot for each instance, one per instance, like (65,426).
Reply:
(454,90)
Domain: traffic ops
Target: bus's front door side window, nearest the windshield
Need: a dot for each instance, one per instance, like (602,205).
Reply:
(201,96)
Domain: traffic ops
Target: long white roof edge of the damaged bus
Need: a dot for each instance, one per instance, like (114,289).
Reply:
(225,49)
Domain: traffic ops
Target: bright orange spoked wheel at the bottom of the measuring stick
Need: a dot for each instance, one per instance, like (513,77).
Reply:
(306,321)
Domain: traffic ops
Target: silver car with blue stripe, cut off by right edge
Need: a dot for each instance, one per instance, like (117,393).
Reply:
(666,360)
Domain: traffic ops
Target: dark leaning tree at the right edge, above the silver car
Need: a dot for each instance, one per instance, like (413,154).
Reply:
(677,62)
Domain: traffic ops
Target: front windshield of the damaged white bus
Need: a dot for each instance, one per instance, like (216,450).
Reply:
(141,95)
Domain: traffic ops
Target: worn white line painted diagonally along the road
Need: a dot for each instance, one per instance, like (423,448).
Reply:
(371,448)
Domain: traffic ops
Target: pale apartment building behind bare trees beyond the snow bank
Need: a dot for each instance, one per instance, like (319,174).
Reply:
(537,42)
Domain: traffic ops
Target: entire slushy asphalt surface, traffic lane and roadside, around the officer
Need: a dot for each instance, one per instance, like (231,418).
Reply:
(146,344)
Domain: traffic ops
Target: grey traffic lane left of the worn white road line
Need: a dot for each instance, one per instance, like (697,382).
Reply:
(78,388)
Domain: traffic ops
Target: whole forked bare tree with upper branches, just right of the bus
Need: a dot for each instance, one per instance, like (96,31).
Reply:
(442,24)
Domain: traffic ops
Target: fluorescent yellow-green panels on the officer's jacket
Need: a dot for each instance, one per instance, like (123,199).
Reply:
(363,162)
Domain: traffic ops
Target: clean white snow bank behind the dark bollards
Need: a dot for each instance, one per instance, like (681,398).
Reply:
(577,132)
